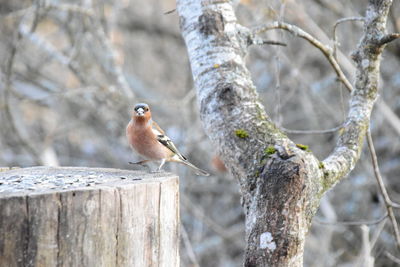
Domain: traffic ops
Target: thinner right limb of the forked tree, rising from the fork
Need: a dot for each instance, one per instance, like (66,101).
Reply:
(367,57)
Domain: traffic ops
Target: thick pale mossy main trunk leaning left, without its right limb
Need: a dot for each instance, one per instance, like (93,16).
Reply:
(280,183)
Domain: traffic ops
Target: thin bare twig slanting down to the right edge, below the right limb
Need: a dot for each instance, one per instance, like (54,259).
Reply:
(382,188)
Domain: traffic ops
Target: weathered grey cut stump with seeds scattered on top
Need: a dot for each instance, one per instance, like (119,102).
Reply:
(75,216)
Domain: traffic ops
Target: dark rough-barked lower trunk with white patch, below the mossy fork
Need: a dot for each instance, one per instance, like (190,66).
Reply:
(283,201)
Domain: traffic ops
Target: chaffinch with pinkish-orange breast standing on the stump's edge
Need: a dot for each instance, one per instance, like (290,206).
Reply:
(148,140)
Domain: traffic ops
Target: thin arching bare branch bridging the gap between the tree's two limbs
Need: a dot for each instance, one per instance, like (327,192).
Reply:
(326,51)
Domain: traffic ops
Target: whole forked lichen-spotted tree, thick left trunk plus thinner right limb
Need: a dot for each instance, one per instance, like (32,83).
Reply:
(281,182)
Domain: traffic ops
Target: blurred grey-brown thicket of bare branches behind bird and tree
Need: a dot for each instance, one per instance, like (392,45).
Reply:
(71,72)
